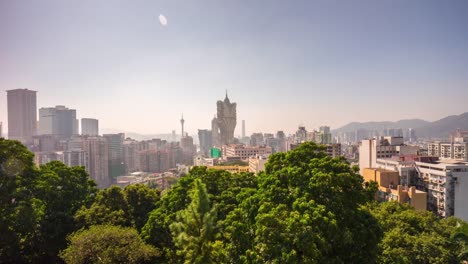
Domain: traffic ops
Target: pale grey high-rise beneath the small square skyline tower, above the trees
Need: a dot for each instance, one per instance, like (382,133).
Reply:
(98,160)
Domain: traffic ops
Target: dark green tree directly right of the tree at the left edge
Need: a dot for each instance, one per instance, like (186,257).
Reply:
(63,190)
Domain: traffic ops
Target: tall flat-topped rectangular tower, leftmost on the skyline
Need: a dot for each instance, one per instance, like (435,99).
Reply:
(22,115)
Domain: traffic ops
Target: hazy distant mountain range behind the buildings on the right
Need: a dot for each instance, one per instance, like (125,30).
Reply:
(424,129)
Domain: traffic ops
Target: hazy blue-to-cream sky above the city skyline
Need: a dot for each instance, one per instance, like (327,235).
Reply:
(284,62)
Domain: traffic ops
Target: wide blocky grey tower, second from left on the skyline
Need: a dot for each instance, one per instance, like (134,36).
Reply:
(58,121)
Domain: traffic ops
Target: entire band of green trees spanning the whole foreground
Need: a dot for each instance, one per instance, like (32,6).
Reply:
(305,208)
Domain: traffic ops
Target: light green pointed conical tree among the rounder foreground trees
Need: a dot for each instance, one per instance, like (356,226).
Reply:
(194,231)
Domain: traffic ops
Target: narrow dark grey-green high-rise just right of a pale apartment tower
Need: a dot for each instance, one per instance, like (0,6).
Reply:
(116,158)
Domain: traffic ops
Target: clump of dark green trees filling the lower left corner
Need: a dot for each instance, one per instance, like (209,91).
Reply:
(37,205)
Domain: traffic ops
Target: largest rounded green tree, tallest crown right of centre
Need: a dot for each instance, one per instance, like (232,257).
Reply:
(310,211)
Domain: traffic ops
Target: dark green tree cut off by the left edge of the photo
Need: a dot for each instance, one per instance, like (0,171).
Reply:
(20,211)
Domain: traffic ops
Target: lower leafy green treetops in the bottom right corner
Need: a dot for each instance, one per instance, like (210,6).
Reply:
(416,236)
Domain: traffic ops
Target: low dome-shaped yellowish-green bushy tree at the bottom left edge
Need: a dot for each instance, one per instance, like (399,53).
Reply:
(108,244)
